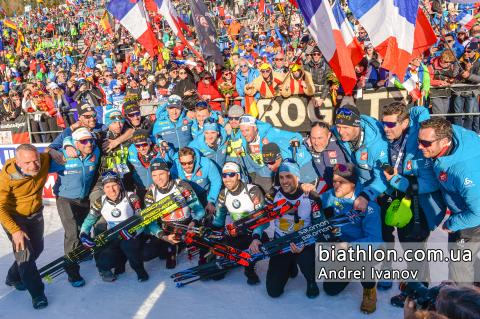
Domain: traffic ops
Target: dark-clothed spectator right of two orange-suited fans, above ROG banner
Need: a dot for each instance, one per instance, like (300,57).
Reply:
(319,69)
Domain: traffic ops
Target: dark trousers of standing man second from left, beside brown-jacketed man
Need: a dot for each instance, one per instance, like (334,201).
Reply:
(72,214)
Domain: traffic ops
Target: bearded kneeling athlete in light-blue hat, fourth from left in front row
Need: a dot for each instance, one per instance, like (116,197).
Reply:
(309,212)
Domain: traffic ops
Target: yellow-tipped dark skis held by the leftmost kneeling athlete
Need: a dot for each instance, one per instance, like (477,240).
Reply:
(132,224)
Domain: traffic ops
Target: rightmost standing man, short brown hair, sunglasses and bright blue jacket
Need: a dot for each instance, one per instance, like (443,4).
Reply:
(455,155)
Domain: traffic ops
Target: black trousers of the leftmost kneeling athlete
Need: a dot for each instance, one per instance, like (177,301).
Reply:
(118,254)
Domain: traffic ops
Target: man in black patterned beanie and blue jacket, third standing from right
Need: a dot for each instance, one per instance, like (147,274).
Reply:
(364,143)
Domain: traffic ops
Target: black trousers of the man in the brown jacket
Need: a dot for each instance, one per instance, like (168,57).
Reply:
(24,268)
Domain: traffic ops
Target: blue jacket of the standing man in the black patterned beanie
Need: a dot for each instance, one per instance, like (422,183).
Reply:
(374,147)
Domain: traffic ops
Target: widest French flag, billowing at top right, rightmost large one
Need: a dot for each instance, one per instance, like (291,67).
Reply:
(398,30)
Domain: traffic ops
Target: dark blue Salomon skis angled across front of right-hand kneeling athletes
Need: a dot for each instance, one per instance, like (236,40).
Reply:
(322,232)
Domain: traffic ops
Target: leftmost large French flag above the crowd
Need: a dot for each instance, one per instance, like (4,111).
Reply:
(133,16)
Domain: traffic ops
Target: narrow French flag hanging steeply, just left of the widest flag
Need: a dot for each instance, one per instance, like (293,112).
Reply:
(326,33)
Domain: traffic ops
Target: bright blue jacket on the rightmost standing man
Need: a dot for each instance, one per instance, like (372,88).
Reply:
(457,174)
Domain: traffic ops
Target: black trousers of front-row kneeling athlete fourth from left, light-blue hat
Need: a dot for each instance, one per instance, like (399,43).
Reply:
(277,274)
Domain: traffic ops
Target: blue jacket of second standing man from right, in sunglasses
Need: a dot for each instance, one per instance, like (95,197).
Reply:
(414,163)
